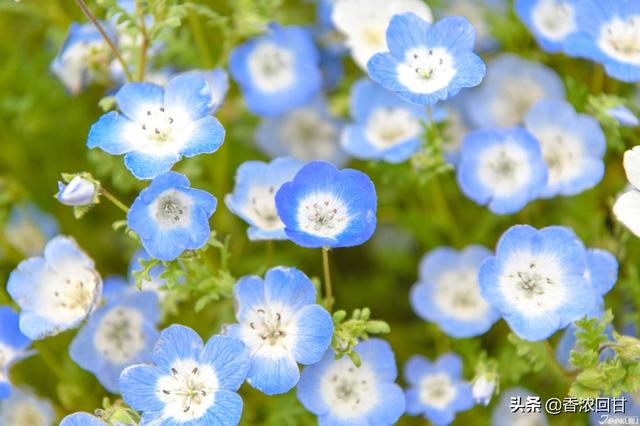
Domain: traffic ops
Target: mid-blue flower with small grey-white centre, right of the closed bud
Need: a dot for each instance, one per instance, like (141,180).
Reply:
(170,217)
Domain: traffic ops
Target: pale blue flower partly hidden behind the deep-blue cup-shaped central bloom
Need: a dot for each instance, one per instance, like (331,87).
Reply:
(254,195)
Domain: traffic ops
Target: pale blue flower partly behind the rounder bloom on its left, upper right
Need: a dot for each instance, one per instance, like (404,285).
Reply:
(573,147)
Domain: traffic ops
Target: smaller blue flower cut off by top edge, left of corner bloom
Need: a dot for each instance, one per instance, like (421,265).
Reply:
(550,21)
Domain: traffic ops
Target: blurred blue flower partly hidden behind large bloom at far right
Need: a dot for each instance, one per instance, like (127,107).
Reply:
(447,292)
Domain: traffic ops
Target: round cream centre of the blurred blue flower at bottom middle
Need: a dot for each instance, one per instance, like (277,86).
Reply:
(348,390)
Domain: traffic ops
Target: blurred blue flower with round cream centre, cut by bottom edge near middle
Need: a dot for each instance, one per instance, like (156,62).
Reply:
(340,393)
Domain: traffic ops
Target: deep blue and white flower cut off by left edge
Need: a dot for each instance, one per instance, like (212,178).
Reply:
(13,347)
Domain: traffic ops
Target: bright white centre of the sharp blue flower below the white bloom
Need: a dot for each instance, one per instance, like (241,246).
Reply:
(426,70)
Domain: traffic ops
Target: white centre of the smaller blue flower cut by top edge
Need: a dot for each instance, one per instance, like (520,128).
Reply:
(554,19)
